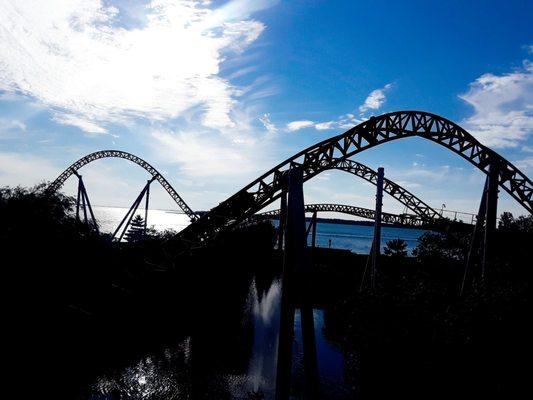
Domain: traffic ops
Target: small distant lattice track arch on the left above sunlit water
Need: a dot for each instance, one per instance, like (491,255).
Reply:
(60,180)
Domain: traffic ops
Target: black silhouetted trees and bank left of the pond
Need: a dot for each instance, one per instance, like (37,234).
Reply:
(79,303)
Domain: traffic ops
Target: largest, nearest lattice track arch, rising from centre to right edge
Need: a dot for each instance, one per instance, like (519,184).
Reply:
(377,130)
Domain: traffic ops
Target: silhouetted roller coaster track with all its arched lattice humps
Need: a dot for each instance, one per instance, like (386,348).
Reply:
(335,153)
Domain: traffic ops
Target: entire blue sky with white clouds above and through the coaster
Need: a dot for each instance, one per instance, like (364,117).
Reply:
(215,93)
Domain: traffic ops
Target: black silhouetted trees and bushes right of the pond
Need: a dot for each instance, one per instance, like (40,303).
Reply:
(415,336)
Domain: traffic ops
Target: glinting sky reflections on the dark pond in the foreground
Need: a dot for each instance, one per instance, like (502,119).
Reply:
(194,369)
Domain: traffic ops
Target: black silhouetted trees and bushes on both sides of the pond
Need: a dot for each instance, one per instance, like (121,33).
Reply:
(79,305)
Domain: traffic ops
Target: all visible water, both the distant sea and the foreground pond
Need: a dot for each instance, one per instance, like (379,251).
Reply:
(169,373)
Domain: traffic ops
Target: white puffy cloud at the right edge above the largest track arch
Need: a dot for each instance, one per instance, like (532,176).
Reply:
(503,107)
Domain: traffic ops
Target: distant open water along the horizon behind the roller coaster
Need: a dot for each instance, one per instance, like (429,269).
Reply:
(357,238)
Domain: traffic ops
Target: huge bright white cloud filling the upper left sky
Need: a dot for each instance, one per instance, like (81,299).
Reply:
(74,57)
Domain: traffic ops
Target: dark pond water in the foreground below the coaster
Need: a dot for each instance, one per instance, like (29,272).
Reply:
(166,374)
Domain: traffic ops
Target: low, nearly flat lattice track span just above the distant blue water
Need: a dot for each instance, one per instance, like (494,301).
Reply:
(393,219)
